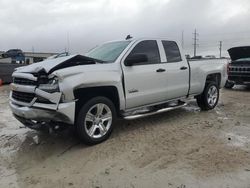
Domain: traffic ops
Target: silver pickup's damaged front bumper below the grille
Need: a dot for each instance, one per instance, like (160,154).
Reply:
(65,112)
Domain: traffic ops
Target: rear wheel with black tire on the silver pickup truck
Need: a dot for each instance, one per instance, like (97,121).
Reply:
(203,100)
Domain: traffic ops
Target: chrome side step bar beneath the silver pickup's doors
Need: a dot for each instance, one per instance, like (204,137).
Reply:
(140,115)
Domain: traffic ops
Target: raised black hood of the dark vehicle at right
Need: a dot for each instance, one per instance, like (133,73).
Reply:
(239,52)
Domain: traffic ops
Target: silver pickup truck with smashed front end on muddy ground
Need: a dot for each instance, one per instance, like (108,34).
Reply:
(125,79)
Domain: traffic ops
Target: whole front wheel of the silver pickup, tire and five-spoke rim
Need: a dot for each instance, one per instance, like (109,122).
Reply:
(95,120)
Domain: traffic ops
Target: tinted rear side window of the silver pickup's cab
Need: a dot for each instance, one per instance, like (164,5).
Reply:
(172,51)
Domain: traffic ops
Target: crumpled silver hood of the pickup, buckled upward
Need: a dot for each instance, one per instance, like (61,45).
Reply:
(50,65)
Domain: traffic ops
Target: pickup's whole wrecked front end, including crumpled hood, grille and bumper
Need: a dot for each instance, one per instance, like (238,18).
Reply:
(36,98)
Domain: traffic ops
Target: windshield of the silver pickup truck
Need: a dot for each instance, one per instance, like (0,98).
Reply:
(108,52)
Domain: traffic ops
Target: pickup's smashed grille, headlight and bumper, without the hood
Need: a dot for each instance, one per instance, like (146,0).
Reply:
(35,99)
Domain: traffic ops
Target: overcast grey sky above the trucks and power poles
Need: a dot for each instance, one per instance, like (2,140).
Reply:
(79,25)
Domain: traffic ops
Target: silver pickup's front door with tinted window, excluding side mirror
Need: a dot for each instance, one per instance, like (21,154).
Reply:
(144,82)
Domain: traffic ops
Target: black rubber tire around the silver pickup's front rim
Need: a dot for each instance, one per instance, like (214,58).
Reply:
(81,124)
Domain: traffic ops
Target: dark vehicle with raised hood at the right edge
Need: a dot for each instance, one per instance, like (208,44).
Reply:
(239,68)
